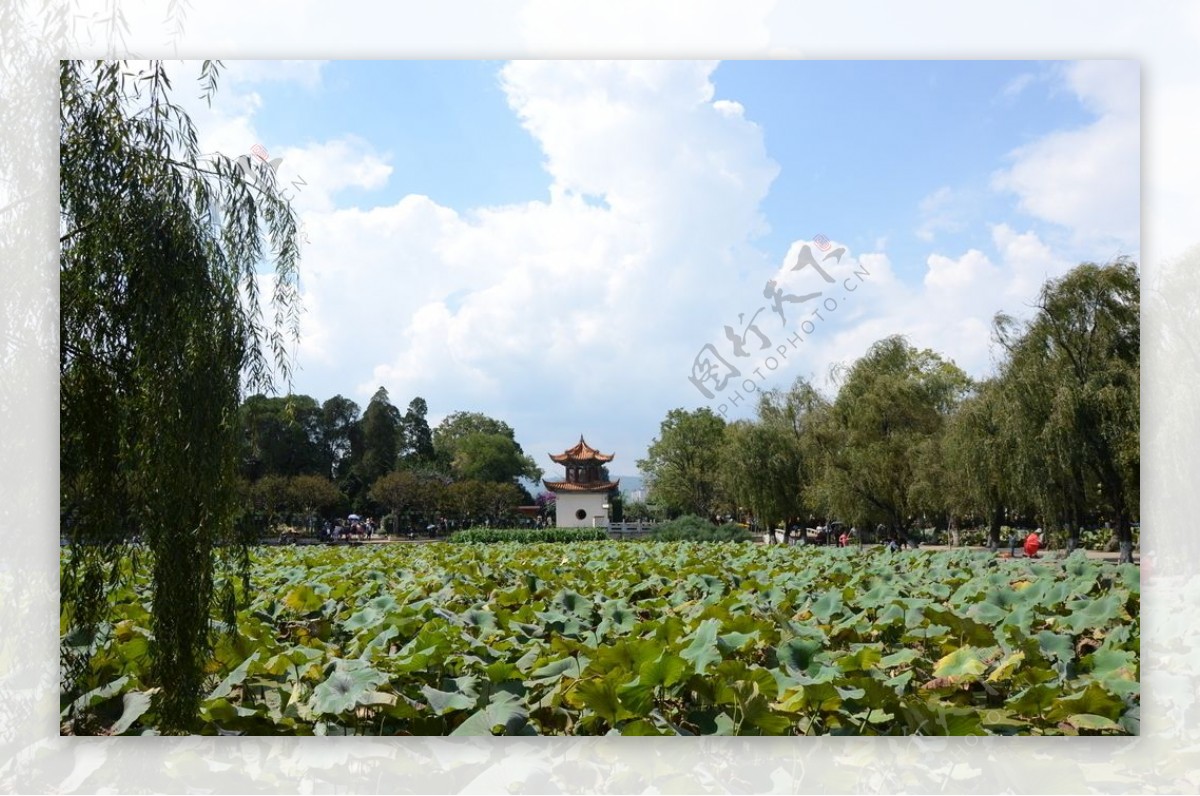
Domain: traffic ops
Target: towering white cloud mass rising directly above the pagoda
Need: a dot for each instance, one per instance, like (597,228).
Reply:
(544,308)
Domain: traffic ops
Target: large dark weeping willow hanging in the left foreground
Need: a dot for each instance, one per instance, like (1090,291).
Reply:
(163,330)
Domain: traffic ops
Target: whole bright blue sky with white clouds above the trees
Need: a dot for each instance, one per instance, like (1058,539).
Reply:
(555,244)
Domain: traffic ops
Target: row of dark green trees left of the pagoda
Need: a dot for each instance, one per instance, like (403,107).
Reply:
(305,463)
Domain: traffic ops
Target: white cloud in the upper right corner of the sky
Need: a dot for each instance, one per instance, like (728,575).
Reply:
(1088,179)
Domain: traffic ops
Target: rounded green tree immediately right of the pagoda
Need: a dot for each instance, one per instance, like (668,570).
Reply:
(683,463)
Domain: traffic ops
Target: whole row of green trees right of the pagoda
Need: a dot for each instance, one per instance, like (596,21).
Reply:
(1052,440)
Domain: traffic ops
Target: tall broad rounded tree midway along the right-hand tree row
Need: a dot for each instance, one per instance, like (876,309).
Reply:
(871,444)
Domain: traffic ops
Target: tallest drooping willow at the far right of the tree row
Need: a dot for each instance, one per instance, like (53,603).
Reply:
(1075,373)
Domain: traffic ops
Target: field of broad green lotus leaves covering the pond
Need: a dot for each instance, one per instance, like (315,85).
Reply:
(645,639)
